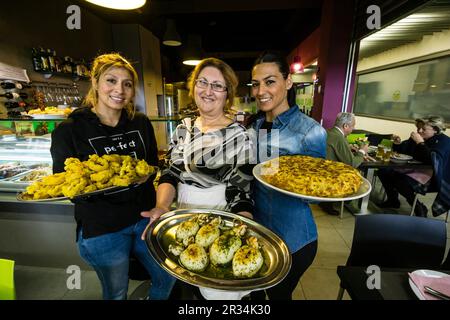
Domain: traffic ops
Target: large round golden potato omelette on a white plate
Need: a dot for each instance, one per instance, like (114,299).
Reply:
(312,176)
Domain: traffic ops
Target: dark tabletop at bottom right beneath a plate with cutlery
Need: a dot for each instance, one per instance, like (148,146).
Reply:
(394,283)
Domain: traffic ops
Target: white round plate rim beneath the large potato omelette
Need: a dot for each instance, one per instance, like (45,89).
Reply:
(363,190)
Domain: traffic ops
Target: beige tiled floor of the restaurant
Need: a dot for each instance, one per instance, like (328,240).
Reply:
(320,281)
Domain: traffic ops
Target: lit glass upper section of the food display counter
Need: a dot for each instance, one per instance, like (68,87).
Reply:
(24,152)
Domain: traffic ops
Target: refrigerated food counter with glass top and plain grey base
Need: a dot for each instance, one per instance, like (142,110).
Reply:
(32,233)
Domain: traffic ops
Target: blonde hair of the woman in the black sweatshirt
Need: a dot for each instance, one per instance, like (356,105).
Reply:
(103,63)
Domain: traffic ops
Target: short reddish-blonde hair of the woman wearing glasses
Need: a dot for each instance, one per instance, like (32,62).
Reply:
(231,80)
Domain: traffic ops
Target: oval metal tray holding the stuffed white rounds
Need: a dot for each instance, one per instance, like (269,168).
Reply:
(277,260)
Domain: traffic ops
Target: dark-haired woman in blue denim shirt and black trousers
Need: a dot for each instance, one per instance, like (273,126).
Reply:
(282,130)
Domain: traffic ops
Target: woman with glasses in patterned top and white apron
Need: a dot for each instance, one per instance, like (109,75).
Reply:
(207,163)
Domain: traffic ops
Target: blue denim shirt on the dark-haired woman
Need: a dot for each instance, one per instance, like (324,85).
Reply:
(290,217)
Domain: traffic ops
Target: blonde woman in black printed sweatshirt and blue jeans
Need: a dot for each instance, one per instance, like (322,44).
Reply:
(109,226)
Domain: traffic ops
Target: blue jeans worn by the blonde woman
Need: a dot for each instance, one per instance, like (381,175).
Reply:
(109,255)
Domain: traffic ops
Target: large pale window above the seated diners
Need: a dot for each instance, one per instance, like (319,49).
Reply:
(405,92)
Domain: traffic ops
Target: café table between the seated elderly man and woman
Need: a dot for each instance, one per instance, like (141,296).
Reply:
(368,169)
